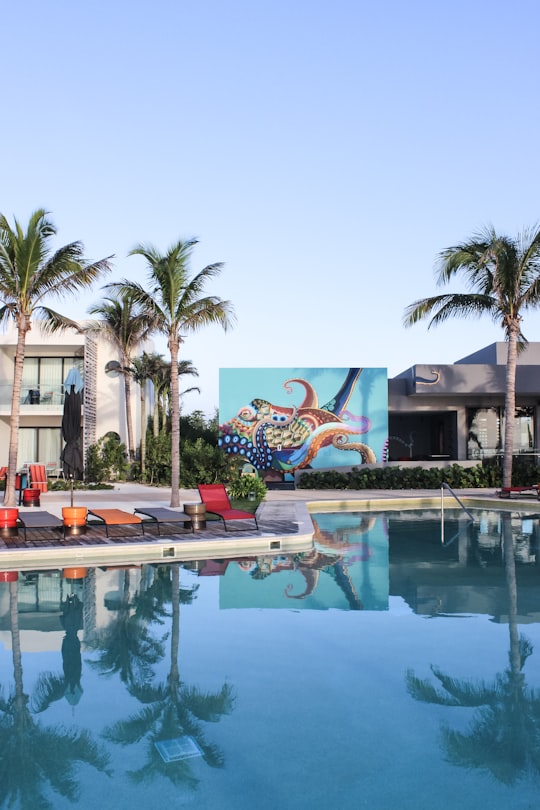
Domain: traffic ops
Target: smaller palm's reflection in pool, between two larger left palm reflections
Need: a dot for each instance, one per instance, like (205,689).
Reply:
(126,646)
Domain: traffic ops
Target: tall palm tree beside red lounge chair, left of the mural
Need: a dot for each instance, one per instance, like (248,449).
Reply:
(174,303)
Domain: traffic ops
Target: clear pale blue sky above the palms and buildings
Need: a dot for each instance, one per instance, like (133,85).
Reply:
(325,152)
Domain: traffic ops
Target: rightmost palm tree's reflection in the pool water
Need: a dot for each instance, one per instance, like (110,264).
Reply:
(504,736)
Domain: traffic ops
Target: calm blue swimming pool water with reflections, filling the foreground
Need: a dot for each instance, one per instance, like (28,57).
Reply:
(394,666)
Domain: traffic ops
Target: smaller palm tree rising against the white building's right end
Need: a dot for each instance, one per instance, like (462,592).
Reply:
(125,326)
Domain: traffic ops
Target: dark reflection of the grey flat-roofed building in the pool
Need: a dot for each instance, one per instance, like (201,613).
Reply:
(465,574)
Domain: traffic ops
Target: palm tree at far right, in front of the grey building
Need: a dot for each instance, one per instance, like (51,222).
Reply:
(503,277)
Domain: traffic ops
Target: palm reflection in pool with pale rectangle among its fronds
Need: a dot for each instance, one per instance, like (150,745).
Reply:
(173,710)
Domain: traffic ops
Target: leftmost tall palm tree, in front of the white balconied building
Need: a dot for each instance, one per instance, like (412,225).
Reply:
(30,272)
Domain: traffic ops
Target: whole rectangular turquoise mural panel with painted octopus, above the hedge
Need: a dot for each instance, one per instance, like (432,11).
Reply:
(274,420)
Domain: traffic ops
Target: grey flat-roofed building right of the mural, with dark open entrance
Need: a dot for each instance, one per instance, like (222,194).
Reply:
(457,411)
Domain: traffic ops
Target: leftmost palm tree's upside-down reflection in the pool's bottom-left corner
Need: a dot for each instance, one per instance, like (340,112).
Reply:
(33,755)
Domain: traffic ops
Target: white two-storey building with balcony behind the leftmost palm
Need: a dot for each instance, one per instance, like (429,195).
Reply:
(47,362)
